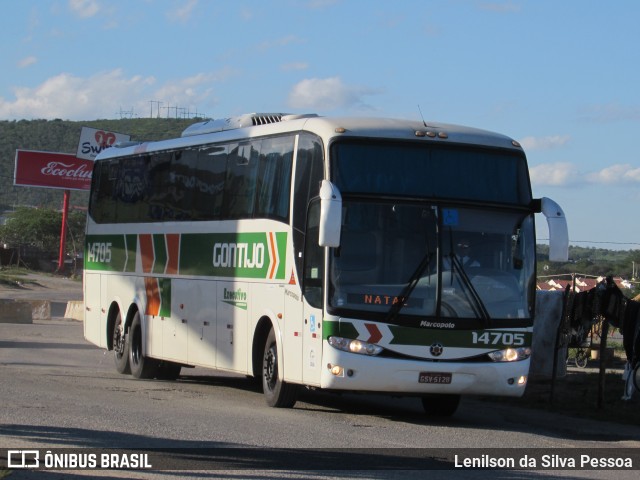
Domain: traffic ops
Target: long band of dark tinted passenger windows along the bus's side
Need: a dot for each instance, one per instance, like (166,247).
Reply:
(213,182)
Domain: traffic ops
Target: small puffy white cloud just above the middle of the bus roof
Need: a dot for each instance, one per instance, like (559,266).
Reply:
(327,94)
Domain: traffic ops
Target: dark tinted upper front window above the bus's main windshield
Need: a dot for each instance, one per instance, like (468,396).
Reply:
(431,171)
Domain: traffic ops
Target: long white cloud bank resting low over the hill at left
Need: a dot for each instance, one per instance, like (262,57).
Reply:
(100,96)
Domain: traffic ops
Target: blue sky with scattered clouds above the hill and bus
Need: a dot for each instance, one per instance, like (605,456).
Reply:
(560,76)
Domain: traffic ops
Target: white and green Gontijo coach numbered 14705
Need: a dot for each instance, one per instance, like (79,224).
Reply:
(346,254)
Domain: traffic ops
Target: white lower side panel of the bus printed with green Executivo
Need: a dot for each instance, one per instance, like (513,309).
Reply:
(231,326)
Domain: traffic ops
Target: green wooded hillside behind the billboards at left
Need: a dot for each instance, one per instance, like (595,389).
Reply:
(62,136)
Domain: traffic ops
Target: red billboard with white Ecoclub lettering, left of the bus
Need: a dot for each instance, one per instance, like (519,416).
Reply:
(52,170)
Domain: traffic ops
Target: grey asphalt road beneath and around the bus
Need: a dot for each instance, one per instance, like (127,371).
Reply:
(57,391)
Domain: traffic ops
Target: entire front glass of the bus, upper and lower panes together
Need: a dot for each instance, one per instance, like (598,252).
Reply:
(406,261)
